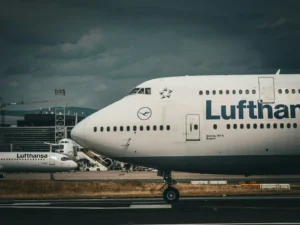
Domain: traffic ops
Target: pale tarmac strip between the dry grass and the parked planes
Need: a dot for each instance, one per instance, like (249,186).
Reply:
(150,177)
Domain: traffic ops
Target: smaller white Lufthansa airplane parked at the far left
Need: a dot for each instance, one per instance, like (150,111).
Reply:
(40,162)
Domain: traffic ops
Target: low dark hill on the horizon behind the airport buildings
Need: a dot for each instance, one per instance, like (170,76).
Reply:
(69,111)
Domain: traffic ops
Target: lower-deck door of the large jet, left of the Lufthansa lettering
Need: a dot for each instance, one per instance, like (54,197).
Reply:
(192,127)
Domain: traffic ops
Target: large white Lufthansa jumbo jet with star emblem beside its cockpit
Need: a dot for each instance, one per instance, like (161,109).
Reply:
(217,124)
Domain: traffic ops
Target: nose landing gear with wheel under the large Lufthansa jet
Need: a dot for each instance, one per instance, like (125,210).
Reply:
(171,194)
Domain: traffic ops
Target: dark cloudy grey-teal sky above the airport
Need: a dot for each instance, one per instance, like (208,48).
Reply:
(99,50)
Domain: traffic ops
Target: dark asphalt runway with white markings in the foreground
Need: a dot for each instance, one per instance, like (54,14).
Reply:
(204,210)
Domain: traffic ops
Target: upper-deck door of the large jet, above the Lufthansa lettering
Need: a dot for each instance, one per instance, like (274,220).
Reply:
(266,90)
